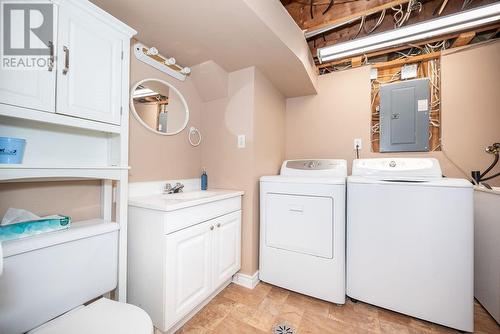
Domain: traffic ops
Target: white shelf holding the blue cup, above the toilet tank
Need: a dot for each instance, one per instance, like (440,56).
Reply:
(47,173)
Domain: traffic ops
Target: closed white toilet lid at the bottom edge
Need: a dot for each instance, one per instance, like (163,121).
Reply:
(103,316)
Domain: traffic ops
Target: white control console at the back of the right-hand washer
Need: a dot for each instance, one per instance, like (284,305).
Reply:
(398,168)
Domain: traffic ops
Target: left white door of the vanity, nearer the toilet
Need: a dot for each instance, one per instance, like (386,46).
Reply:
(188,270)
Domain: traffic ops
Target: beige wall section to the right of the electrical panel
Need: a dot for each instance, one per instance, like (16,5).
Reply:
(471,106)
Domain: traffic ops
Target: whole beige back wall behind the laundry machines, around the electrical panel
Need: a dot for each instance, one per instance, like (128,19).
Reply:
(325,125)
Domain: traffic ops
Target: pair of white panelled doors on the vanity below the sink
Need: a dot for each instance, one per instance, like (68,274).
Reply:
(199,260)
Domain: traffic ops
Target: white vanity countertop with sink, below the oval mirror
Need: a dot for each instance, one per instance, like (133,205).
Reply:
(171,202)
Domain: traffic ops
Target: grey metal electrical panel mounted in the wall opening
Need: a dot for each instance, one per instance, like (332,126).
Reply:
(404,116)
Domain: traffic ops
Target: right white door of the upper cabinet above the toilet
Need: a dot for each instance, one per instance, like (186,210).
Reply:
(90,67)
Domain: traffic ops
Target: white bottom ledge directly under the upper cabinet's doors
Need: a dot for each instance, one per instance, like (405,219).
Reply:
(58,119)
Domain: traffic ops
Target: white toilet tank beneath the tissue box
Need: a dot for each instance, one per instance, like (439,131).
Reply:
(47,275)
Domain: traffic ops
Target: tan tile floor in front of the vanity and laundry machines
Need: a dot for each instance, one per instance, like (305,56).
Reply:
(239,310)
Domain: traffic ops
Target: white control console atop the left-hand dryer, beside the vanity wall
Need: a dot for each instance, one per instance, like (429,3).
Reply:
(322,168)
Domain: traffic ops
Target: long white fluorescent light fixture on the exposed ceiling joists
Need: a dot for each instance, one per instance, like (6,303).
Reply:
(421,31)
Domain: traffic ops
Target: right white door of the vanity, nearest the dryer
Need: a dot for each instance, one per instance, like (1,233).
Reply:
(227,247)
